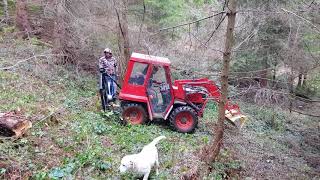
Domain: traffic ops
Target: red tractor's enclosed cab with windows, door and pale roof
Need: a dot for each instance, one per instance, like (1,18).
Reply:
(148,83)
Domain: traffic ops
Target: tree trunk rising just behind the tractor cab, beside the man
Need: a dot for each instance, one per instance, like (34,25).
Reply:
(124,43)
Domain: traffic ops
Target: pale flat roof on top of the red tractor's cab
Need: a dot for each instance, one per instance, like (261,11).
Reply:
(150,59)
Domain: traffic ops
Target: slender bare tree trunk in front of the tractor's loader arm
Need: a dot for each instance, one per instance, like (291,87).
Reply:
(216,145)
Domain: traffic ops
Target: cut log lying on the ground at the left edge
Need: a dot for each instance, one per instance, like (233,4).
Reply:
(12,124)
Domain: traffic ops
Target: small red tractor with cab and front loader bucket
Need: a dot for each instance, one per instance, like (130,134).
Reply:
(148,92)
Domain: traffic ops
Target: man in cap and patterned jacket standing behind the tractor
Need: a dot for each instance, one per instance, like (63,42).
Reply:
(108,65)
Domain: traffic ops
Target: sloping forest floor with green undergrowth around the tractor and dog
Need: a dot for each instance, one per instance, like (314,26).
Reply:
(72,138)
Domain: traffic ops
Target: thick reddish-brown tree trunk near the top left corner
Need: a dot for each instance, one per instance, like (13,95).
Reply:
(22,17)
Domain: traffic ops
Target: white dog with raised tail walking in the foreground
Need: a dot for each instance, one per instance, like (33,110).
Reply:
(142,162)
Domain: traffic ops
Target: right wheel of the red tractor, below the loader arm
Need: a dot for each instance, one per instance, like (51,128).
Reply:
(184,119)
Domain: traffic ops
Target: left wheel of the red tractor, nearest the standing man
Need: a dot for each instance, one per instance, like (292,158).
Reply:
(134,114)
